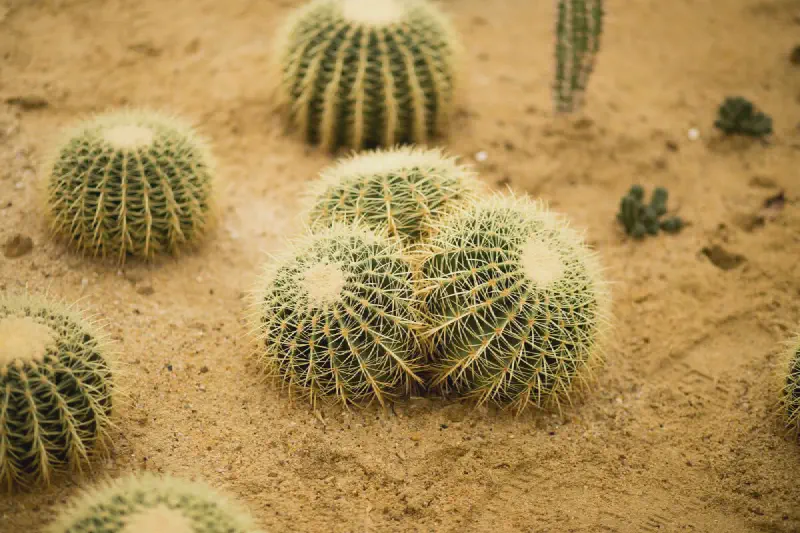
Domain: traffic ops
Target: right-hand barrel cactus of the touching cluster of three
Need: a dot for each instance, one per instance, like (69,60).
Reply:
(515,302)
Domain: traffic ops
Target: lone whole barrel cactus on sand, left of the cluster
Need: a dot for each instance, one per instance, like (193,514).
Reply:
(131,183)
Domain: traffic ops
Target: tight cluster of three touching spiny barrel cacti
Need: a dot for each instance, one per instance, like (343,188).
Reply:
(411,276)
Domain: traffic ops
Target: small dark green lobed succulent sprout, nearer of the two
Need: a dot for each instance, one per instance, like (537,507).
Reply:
(641,219)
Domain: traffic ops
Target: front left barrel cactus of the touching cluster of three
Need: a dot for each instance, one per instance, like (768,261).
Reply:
(336,317)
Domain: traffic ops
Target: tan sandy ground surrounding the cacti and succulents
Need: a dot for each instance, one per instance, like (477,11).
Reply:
(679,433)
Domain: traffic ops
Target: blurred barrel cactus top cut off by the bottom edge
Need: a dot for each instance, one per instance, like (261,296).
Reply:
(146,503)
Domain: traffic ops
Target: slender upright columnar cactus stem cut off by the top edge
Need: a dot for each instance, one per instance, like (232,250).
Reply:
(579,24)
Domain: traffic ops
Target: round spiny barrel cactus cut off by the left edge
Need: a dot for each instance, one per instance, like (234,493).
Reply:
(55,390)
